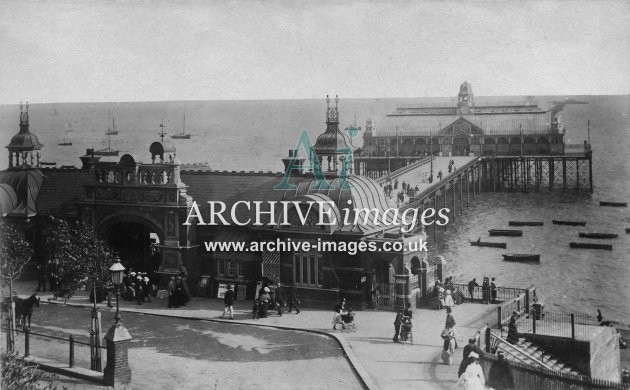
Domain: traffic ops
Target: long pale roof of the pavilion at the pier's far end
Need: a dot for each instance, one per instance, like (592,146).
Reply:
(491,124)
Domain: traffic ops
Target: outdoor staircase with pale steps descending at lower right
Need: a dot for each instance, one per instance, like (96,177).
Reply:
(529,353)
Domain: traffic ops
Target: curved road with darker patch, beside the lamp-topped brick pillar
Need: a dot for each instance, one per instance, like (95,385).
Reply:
(170,353)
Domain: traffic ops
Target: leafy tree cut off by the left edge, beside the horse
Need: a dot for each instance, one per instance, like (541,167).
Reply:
(15,252)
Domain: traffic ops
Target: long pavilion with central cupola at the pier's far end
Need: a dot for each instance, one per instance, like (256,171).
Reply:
(466,128)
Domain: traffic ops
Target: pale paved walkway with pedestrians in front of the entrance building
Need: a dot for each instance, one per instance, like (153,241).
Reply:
(382,363)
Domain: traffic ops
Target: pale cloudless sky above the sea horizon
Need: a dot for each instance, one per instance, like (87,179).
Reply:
(85,51)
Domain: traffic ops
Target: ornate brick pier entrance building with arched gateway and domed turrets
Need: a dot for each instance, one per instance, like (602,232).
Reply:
(134,205)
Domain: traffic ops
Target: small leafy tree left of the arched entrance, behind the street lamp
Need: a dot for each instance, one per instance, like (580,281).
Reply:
(76,256)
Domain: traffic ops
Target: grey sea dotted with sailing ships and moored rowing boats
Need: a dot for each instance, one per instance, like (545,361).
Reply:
(255,135)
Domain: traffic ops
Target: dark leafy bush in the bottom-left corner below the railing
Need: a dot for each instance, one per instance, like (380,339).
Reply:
(18,375)
